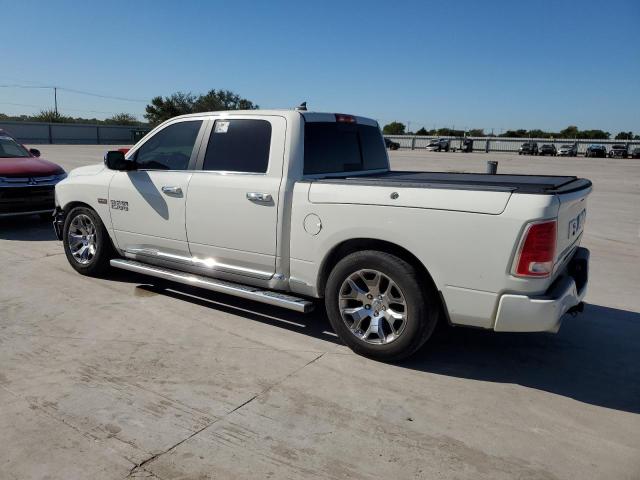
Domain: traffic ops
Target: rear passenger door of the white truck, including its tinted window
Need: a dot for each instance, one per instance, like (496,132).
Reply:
(232,205)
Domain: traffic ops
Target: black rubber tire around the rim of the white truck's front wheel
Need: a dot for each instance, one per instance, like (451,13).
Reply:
(98,264)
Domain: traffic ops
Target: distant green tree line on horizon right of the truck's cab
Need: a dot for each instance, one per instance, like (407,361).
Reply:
(398,128)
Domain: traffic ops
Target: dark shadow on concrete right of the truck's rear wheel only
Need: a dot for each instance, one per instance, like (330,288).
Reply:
(595,358)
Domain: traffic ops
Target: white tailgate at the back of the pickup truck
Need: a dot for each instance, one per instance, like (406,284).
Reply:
(571,218)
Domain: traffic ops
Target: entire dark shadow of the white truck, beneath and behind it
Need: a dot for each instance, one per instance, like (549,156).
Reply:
(595,358)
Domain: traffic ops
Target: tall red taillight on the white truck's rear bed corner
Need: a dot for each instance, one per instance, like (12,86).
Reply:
(537,250)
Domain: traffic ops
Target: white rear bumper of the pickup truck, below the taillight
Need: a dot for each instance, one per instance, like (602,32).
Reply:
(521,313)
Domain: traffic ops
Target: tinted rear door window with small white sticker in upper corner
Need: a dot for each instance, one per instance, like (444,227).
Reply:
(239,146)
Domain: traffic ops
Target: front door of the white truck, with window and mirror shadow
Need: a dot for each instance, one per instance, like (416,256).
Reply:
(148,205)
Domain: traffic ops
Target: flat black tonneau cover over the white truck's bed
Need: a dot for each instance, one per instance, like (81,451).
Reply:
(536,184)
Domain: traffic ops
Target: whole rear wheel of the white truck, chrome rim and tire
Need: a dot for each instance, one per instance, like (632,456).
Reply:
(378,305)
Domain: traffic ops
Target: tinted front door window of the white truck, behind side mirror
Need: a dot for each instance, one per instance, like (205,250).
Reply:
(170,148)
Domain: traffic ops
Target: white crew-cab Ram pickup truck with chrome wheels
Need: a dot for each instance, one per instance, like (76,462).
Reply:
(287,207)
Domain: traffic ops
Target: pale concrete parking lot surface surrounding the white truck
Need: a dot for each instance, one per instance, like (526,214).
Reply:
(109,378)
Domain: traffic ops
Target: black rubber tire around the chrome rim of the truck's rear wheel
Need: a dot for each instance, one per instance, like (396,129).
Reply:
(422,306)
